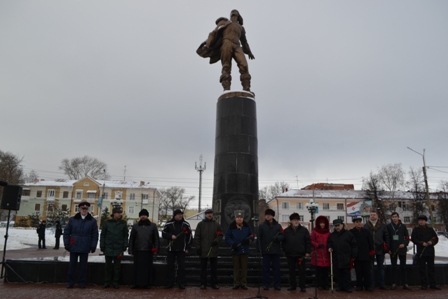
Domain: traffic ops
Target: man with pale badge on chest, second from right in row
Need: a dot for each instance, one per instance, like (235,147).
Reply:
(399,241)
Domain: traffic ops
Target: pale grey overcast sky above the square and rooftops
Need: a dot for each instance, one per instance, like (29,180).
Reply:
(342,87)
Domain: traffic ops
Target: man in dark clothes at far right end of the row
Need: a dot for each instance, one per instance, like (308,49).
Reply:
(425,238)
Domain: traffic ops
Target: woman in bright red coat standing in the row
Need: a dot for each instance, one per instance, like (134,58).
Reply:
(320,257)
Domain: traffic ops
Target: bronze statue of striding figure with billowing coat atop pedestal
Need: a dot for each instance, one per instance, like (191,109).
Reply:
(223,44)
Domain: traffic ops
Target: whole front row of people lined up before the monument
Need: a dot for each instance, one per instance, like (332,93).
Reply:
(340,250)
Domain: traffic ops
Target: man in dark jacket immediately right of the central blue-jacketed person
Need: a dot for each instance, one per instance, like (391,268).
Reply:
(270,234)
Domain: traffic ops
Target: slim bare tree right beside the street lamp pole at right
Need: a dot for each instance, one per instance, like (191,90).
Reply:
(416,185)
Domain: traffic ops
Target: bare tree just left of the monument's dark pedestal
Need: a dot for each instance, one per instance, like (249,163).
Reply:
(171,199)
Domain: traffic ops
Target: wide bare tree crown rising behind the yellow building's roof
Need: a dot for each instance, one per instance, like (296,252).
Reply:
(80,167)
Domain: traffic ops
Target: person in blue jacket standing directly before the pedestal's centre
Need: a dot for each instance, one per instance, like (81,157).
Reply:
(238,236)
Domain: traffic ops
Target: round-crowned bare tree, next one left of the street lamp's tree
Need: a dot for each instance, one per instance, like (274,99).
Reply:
(391,177)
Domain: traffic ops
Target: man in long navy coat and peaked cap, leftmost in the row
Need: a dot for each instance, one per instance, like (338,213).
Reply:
(80,238)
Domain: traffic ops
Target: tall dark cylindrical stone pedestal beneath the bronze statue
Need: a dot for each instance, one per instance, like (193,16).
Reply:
(235,185)
